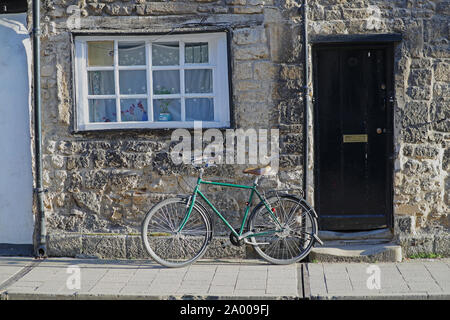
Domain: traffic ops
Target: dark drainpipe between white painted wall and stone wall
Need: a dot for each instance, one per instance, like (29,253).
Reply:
(41,250)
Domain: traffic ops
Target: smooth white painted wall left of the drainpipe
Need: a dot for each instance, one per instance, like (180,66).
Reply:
(16,184)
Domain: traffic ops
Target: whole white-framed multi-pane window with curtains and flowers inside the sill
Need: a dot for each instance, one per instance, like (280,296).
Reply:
(152,83)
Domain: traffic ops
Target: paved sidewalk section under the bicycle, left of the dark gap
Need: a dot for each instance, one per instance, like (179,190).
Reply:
(56,278)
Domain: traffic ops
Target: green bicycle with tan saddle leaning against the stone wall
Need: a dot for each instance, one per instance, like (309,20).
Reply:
(282,228)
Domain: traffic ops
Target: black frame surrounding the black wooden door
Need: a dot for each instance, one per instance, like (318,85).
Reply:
(388,47)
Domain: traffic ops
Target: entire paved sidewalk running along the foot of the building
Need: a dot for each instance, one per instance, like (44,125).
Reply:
(56,278)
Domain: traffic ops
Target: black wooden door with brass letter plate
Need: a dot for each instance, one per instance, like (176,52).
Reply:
(353,136)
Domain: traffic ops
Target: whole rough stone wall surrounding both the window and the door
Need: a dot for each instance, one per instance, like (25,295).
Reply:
(104,182)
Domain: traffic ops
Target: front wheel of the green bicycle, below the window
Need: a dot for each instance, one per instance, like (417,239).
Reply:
(162,240)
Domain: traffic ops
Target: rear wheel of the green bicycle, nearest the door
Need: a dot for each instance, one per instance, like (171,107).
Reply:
(289,240)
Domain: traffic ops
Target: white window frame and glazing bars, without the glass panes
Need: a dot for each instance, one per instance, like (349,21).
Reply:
(218,62)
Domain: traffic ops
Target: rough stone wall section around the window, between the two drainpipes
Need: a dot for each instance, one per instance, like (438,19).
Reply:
(103,183)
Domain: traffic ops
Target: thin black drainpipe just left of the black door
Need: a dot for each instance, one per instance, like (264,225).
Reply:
(306,88)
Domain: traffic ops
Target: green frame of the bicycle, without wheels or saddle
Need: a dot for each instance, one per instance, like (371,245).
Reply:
(253,191)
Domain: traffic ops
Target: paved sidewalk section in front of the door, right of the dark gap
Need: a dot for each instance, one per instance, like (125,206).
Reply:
(413,279)
